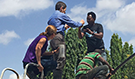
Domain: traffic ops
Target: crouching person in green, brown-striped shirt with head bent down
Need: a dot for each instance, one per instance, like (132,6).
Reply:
(87,67)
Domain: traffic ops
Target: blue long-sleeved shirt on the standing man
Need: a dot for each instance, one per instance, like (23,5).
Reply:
(59,19)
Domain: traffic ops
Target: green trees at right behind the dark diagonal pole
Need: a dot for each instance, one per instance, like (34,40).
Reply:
(118,54)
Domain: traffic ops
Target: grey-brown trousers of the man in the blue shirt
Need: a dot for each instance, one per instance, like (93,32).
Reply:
(54,43)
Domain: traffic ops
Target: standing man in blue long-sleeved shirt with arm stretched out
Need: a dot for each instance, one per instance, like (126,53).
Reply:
(61,21)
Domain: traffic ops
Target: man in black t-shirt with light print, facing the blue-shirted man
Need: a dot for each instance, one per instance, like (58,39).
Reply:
(94,34)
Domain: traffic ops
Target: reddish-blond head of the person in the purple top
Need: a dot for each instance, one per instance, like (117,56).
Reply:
(50,32)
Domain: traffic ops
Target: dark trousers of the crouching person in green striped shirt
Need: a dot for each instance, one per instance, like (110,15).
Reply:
(97,72)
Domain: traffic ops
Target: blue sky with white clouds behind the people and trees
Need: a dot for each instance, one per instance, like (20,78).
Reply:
(22,20)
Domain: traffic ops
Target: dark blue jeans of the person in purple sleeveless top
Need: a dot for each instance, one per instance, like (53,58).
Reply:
(48,65)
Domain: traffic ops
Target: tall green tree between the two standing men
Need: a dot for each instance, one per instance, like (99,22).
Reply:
(75,50)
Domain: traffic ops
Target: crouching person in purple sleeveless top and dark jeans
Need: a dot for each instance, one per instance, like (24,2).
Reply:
(36,50)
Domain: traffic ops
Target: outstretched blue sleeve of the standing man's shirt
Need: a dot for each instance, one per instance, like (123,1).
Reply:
(65,19)
